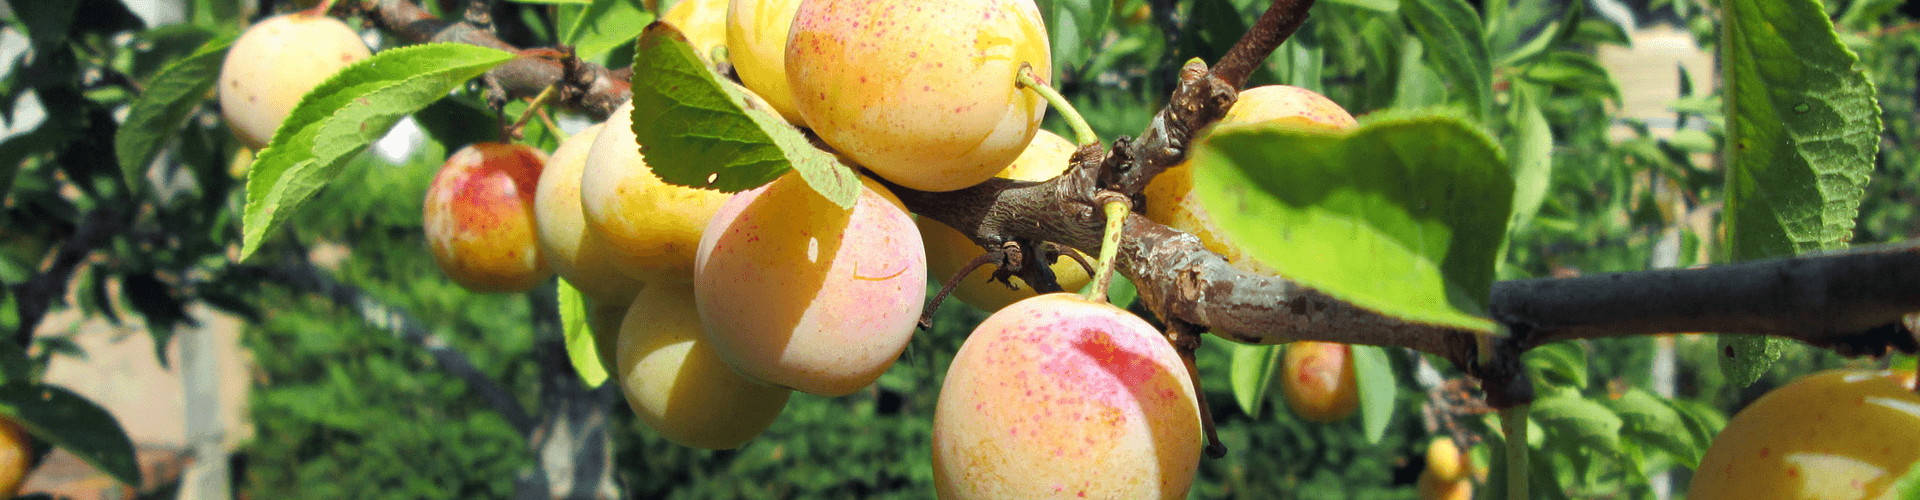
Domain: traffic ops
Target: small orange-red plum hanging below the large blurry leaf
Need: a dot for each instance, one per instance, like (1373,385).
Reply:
(1318,380)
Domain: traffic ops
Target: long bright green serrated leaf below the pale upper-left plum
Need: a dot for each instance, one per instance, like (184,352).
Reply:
(343,116)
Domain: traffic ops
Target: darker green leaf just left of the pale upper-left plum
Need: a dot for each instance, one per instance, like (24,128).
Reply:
(162,109)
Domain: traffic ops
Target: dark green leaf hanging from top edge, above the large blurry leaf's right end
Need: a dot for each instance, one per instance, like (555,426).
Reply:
(1454,39)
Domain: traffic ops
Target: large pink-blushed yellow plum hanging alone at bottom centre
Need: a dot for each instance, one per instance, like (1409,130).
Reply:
(1059,397)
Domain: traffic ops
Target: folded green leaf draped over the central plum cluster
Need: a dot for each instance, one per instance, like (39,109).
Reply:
(696,132)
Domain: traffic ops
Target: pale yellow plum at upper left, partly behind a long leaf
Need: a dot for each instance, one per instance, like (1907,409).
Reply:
(274,64)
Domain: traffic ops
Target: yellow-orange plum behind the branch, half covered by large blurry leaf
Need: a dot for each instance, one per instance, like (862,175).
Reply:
(1170,195)
